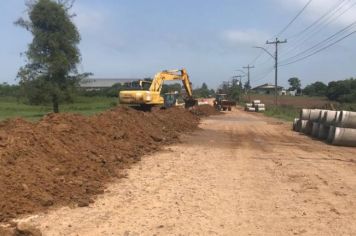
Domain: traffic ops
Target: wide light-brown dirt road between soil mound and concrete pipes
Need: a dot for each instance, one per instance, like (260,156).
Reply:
(241,174)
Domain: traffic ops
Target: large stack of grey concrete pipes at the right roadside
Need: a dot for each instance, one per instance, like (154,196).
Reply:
(336,127)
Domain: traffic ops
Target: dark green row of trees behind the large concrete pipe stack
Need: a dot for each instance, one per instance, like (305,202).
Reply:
(341,90)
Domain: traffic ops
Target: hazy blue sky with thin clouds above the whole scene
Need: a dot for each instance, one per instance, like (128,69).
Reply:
(212,39)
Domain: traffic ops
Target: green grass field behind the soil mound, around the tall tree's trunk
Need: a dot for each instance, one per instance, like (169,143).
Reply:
(11,108)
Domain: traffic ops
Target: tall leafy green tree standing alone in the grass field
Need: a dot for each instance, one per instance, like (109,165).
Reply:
(50,74)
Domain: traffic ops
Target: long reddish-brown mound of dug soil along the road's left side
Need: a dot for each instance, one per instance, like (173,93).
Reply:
(66,159)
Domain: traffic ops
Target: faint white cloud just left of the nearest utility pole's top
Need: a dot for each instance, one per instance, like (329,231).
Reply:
(245,37)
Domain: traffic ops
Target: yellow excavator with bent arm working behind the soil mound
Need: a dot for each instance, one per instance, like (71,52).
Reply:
(146,99)
